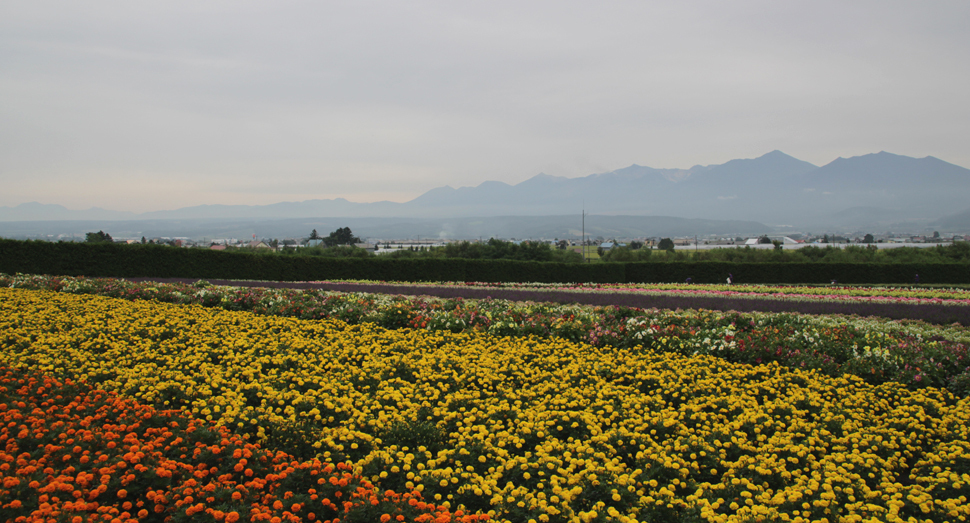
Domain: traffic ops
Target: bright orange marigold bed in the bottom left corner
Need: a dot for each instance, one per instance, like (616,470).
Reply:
(72,453)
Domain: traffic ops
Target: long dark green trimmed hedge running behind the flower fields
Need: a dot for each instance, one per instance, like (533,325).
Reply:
(82,259)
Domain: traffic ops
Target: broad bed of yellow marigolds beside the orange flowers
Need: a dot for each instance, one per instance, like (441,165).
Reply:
(527,429)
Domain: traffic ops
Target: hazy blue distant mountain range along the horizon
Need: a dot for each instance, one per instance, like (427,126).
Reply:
(878,188)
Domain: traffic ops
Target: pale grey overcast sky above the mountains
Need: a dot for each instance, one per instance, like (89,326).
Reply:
(158,105)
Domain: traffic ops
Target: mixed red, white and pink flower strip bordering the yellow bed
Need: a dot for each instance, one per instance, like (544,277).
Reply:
(877,350)
